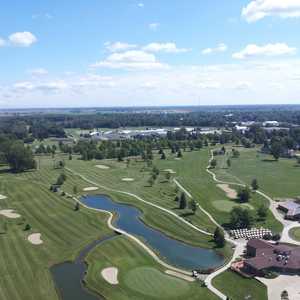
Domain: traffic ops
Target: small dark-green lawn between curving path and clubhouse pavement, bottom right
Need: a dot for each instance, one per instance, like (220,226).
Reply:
(237,287)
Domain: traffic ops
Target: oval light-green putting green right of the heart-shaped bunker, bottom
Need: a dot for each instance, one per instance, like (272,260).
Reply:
(153,283)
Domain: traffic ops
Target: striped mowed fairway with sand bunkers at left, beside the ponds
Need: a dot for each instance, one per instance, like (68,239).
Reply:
(24,268)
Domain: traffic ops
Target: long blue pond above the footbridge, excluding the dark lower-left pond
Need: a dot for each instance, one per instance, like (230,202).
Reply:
(171,250)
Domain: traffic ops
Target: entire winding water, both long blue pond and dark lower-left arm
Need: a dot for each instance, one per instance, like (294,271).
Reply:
(69,276)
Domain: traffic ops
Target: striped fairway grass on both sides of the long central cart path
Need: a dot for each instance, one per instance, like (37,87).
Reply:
(163,193)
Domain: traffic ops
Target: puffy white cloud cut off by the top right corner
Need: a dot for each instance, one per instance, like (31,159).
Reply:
(259,9)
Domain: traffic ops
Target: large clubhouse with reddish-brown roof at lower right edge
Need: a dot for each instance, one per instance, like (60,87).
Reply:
(264,256)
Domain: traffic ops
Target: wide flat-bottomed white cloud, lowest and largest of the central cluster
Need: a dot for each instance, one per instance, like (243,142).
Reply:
(133,59)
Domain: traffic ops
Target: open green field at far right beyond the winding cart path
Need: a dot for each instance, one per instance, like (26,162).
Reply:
(277,178)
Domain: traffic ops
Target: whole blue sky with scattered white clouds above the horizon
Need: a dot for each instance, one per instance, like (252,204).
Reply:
(66,53)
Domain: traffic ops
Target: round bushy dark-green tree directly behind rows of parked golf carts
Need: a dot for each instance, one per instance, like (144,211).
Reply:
(241,218)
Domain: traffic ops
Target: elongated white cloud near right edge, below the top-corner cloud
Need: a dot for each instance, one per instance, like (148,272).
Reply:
(252,51)
